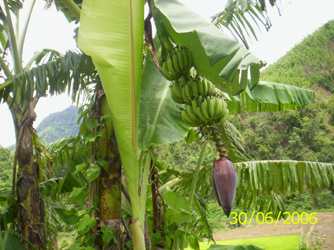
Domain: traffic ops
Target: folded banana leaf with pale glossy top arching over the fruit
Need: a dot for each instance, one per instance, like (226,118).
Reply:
(216,56)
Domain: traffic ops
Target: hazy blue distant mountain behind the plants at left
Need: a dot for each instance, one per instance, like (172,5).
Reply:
(59,125)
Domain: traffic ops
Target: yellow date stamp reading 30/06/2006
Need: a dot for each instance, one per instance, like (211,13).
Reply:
(287,218)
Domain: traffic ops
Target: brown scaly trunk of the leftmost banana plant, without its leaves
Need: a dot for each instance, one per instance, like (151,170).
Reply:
(30,208)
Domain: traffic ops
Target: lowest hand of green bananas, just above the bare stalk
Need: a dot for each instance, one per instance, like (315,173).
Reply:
(204,111)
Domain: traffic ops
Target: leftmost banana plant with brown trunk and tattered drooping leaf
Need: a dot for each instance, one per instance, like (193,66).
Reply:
(22,85)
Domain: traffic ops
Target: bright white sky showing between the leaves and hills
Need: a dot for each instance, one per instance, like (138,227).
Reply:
(49,29)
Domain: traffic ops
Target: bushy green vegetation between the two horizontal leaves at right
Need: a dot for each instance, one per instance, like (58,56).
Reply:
(299,135)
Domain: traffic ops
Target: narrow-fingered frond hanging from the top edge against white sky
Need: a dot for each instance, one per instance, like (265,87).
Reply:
(244,18)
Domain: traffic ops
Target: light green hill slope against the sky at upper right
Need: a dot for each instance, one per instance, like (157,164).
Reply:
(308,64)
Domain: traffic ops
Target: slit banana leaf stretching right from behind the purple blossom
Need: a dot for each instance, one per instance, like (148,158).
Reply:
(263,184)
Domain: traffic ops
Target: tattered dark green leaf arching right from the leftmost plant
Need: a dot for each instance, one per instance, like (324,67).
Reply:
(72,72)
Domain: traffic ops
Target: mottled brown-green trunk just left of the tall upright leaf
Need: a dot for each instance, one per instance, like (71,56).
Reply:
(109,182)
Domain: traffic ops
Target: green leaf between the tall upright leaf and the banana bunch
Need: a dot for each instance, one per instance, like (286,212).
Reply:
(159,120)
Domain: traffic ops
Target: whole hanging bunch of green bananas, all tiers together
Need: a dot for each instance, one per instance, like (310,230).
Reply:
(203,104)
